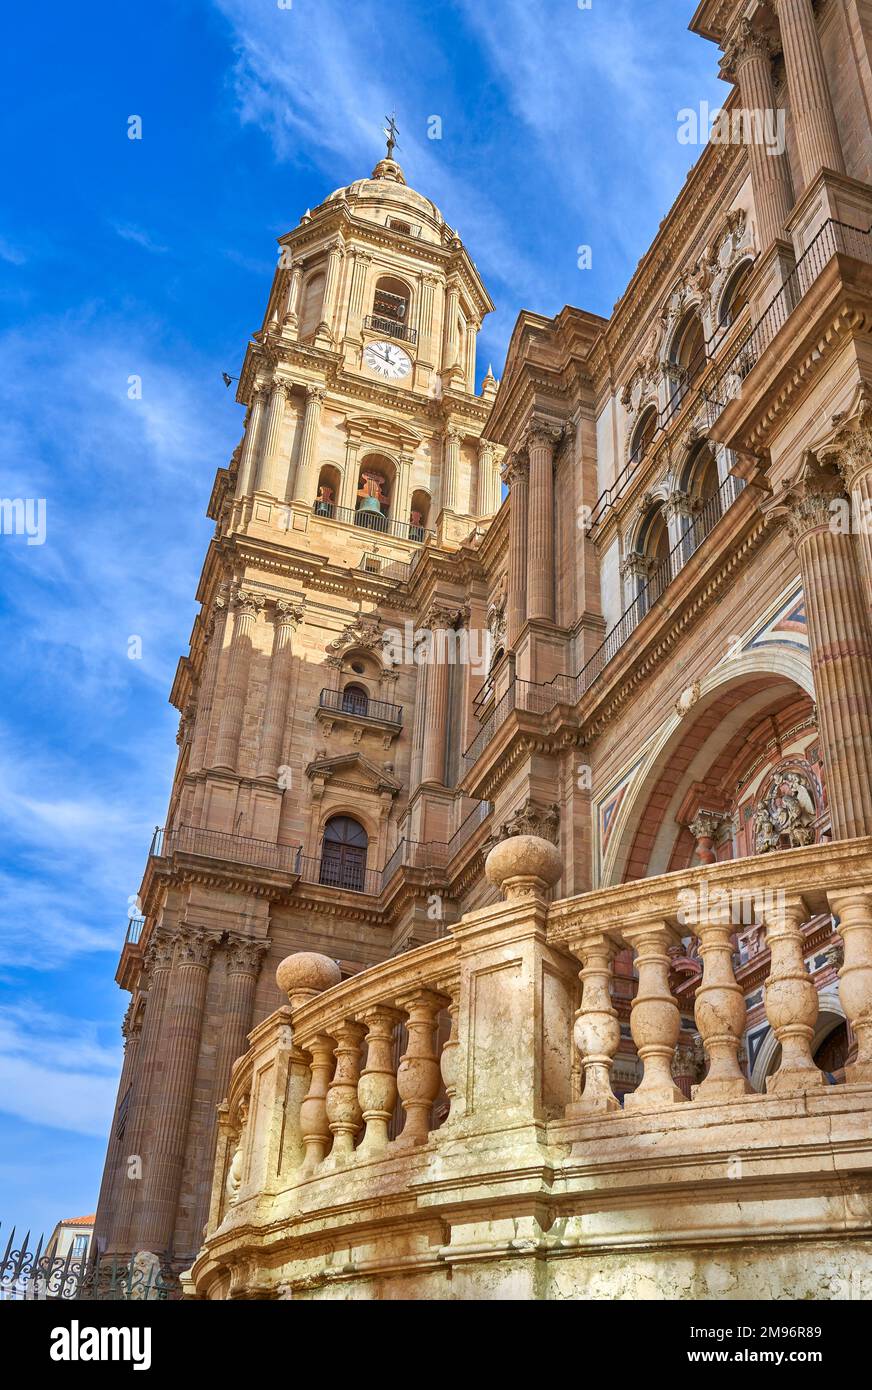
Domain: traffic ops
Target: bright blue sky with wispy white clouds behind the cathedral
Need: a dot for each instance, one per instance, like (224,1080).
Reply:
(154,258)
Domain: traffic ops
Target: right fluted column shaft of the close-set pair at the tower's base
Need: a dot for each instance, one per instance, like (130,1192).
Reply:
(180,1052)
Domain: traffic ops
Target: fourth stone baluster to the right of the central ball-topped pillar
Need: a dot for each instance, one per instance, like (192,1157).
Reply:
(791,999)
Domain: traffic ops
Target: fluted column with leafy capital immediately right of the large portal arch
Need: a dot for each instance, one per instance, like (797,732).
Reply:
(841,643)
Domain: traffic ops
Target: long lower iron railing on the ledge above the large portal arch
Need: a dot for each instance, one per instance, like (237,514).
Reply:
(568,690)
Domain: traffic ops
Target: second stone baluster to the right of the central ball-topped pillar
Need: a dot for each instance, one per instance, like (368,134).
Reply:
(654,1018)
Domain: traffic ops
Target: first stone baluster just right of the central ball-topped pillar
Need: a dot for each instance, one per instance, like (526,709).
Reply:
(597,1031)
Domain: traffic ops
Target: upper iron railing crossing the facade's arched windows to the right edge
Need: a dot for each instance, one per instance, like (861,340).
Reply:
(732,355)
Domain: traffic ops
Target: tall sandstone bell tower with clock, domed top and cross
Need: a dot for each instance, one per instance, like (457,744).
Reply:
(305,767)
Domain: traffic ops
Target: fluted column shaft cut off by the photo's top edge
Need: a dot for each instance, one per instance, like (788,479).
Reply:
(812,106)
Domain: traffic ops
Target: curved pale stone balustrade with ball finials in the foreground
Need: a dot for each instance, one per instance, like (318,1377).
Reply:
(444,1125)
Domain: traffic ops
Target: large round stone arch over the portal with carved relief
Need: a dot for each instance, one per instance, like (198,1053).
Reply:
(753,679)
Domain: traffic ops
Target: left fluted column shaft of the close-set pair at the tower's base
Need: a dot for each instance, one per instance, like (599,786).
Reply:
(155,978)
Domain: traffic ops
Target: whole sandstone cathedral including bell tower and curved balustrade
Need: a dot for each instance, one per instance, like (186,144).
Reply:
(615,608)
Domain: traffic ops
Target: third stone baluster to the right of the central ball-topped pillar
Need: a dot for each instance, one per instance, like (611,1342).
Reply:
(720,1011)
